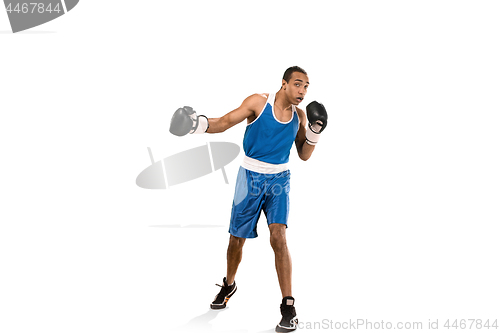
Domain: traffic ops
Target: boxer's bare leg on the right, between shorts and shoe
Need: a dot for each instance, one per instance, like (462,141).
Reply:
(282,257)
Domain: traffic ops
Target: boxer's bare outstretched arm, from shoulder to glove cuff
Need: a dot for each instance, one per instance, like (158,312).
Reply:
(247,109)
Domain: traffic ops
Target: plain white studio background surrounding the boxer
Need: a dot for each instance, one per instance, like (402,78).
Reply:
(395,217)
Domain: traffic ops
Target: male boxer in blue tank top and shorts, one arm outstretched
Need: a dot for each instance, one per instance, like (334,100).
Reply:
(274,123)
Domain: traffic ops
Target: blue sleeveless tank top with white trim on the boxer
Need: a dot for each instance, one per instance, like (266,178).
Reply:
(269,140)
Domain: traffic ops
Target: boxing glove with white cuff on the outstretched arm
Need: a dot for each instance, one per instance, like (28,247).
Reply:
(185,120)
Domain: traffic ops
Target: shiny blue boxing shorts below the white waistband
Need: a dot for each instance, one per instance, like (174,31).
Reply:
(256,192)
